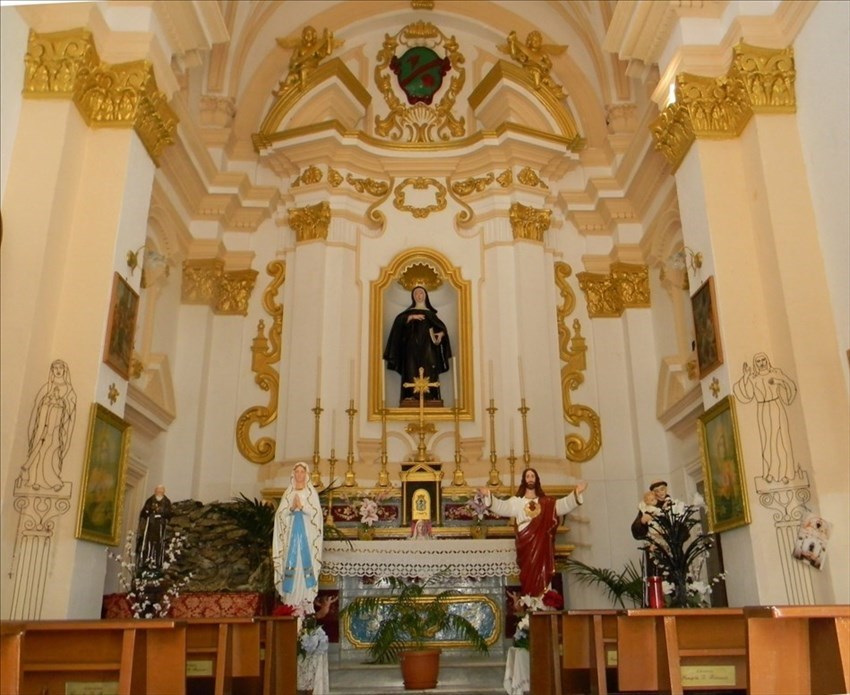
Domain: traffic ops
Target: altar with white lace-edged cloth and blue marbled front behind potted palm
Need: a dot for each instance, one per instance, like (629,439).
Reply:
(476,569)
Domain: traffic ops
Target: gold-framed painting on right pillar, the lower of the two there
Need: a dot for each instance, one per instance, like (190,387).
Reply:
(723,468)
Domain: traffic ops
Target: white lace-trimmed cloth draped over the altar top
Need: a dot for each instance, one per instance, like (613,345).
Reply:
(461,557)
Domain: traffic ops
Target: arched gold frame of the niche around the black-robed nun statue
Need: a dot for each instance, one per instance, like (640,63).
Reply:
(461,342)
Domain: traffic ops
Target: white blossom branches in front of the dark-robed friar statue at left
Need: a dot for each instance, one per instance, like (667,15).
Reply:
(150,589)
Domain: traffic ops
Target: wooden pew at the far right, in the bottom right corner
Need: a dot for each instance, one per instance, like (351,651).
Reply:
(798,650)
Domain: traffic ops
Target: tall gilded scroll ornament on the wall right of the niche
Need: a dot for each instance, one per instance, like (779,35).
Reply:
(572,349)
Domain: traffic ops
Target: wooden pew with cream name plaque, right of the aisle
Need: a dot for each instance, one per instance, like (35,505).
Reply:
(668,650)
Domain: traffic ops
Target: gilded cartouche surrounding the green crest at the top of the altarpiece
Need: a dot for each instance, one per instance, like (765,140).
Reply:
(419,121)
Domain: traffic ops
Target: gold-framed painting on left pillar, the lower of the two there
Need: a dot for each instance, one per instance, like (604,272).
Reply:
(101,499)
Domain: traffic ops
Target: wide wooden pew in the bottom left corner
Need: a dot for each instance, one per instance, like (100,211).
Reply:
(144,657)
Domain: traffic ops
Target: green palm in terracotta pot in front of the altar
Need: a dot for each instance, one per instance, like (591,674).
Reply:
(408,618)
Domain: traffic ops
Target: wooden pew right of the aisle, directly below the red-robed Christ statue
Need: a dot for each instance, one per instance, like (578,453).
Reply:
(589,639)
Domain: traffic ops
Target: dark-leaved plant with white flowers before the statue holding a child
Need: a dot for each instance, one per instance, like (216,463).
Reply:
(680,555)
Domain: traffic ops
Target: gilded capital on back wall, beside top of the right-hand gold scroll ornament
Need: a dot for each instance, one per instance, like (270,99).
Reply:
(608,296)
